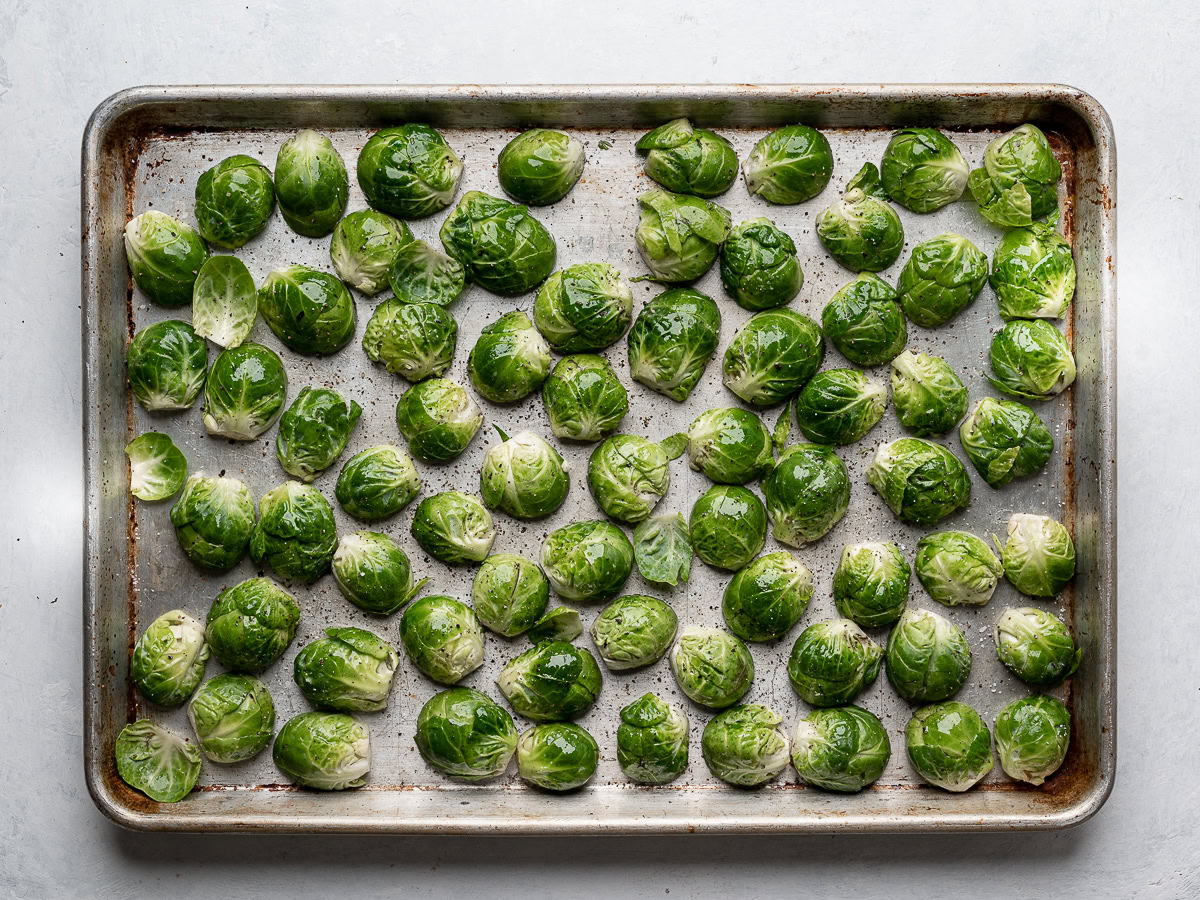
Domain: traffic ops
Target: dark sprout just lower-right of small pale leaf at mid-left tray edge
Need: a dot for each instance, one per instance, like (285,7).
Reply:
(214,519)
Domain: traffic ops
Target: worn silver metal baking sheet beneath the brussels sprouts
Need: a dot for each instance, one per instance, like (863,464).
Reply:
(145,148)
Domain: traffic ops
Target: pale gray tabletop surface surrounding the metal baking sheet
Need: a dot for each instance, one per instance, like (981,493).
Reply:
(59,59)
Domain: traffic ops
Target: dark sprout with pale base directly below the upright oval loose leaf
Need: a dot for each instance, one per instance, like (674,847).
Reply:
(245,393)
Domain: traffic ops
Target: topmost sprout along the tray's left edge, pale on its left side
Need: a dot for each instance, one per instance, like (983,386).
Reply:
(165,256)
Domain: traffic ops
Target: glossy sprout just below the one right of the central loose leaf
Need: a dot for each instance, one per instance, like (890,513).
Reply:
(767,598)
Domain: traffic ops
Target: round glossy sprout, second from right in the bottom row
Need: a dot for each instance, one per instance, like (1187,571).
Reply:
(950,746)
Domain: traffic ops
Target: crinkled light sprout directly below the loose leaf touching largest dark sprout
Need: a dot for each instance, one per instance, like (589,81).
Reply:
(411,340)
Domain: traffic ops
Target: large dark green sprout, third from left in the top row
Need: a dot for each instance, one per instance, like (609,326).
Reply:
(409,171)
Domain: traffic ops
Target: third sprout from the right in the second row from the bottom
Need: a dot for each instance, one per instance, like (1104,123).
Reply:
(832,663)
